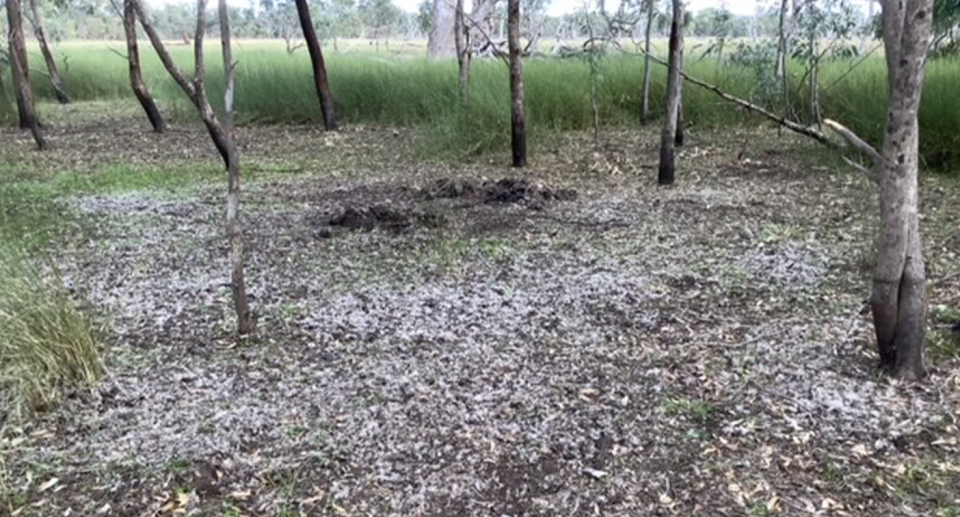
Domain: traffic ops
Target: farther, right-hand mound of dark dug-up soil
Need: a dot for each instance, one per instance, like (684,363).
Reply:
(503,191)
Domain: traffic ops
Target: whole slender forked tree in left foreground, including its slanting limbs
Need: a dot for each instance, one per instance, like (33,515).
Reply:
(221,132)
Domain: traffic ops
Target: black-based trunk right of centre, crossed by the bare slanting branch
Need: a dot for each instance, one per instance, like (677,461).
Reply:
(667,171)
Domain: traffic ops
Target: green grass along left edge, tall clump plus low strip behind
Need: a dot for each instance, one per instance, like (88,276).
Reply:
(48,344)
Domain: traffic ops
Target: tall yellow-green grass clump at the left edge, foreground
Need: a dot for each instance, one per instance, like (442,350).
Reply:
(47,344)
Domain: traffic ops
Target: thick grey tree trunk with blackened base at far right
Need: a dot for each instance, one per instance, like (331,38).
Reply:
(899,299)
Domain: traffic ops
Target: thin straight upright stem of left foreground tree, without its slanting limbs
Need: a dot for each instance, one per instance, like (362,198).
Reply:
(245,321)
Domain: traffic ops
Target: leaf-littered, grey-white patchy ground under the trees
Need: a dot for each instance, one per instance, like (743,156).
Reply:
(586,344)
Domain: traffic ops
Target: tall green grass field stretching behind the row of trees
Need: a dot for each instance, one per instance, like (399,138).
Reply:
(397,86)
